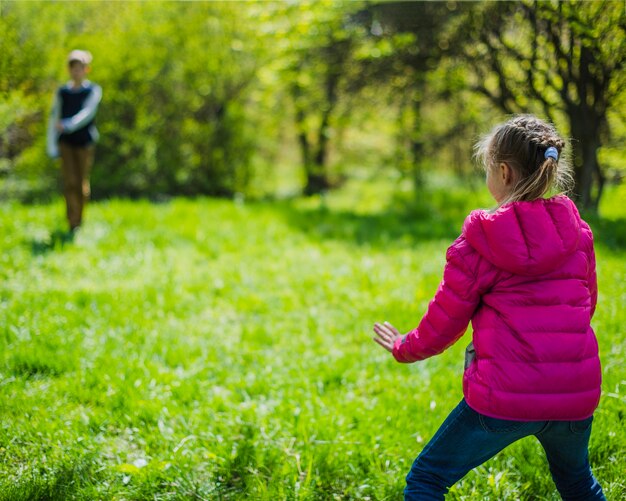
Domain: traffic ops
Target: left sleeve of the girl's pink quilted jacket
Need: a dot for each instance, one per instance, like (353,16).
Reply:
(449,312)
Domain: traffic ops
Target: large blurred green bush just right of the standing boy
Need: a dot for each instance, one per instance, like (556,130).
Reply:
(189,65)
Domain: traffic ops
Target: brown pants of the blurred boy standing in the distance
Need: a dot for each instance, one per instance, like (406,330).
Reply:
(76,162)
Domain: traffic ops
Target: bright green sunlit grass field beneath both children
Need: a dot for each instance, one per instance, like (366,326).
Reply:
(221,350)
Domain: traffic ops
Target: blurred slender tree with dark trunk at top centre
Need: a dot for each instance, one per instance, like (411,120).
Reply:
(315,63)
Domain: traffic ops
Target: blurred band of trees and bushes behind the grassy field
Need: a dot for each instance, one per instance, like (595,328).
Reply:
(278,99)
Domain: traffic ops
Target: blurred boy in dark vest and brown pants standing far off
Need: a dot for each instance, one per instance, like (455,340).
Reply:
(72,133)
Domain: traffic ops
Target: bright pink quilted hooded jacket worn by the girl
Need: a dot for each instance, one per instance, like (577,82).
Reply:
(525,277)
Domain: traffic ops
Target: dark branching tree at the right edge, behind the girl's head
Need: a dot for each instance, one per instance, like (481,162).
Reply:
(559,58)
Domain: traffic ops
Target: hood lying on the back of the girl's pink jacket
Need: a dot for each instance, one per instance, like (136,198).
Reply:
(525,238)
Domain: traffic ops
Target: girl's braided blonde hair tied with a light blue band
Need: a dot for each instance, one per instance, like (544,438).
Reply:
(521,143)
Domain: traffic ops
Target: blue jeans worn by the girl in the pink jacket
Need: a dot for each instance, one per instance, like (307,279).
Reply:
(466,439)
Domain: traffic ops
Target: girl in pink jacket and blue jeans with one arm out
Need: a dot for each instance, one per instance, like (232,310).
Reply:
(524,275)
